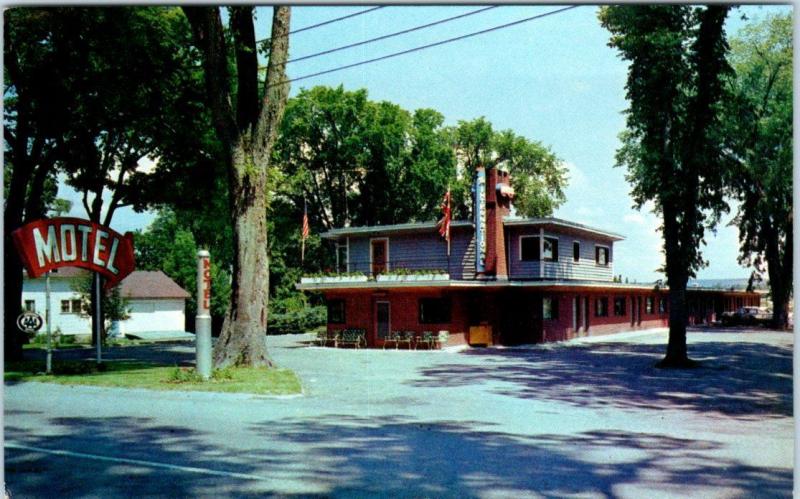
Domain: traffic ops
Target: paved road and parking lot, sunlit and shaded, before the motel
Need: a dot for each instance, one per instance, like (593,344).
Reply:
(591,419)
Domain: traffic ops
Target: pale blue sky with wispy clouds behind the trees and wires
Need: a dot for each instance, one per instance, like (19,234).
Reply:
(553,80)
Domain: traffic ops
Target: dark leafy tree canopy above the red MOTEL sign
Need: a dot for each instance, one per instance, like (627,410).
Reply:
(101,88)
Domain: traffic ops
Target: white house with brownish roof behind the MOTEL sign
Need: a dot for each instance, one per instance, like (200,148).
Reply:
(155,302)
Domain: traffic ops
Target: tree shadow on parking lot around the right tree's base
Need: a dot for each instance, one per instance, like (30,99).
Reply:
(748,380)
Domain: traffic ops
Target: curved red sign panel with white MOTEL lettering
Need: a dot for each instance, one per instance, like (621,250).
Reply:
(48,244)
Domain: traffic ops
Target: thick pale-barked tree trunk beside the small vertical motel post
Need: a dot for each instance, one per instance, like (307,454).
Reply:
(242,339)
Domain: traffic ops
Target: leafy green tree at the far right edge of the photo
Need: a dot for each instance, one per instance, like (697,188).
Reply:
(758,122)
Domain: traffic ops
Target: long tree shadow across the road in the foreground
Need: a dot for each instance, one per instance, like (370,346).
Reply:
(346,456)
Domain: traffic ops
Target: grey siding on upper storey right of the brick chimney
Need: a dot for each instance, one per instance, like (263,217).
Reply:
(565,267)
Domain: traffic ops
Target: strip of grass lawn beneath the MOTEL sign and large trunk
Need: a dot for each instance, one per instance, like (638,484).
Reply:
(154,377)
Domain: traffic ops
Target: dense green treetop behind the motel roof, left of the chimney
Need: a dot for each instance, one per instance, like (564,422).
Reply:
(361,162)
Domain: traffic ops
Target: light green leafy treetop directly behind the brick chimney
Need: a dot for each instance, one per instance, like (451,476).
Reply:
(537,174)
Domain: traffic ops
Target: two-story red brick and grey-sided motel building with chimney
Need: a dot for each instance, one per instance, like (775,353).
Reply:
(506,280)
